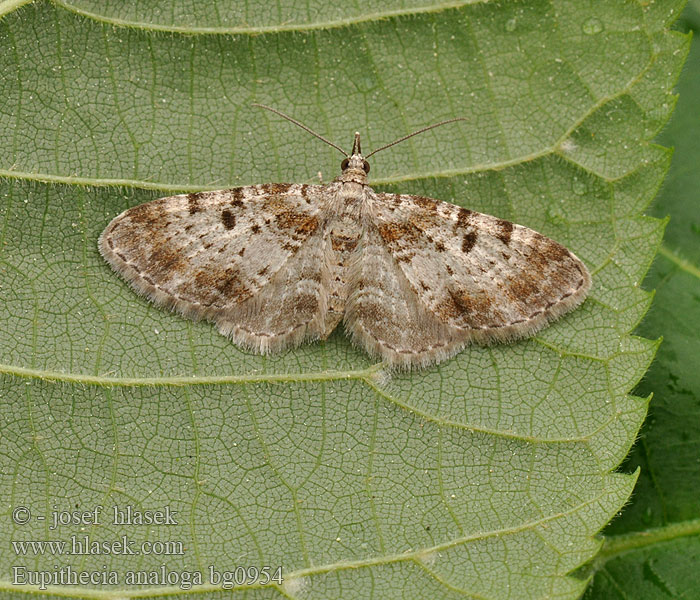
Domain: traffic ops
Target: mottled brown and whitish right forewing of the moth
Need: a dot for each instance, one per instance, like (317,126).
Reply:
(478,274)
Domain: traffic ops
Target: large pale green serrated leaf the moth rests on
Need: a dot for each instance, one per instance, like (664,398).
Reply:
(487,476)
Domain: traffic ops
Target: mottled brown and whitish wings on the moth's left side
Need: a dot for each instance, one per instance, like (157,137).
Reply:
(221,255)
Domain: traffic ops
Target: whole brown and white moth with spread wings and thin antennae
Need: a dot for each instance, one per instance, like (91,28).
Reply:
(412,278)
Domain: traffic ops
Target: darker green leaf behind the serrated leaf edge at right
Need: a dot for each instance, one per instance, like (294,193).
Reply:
(652,550)
